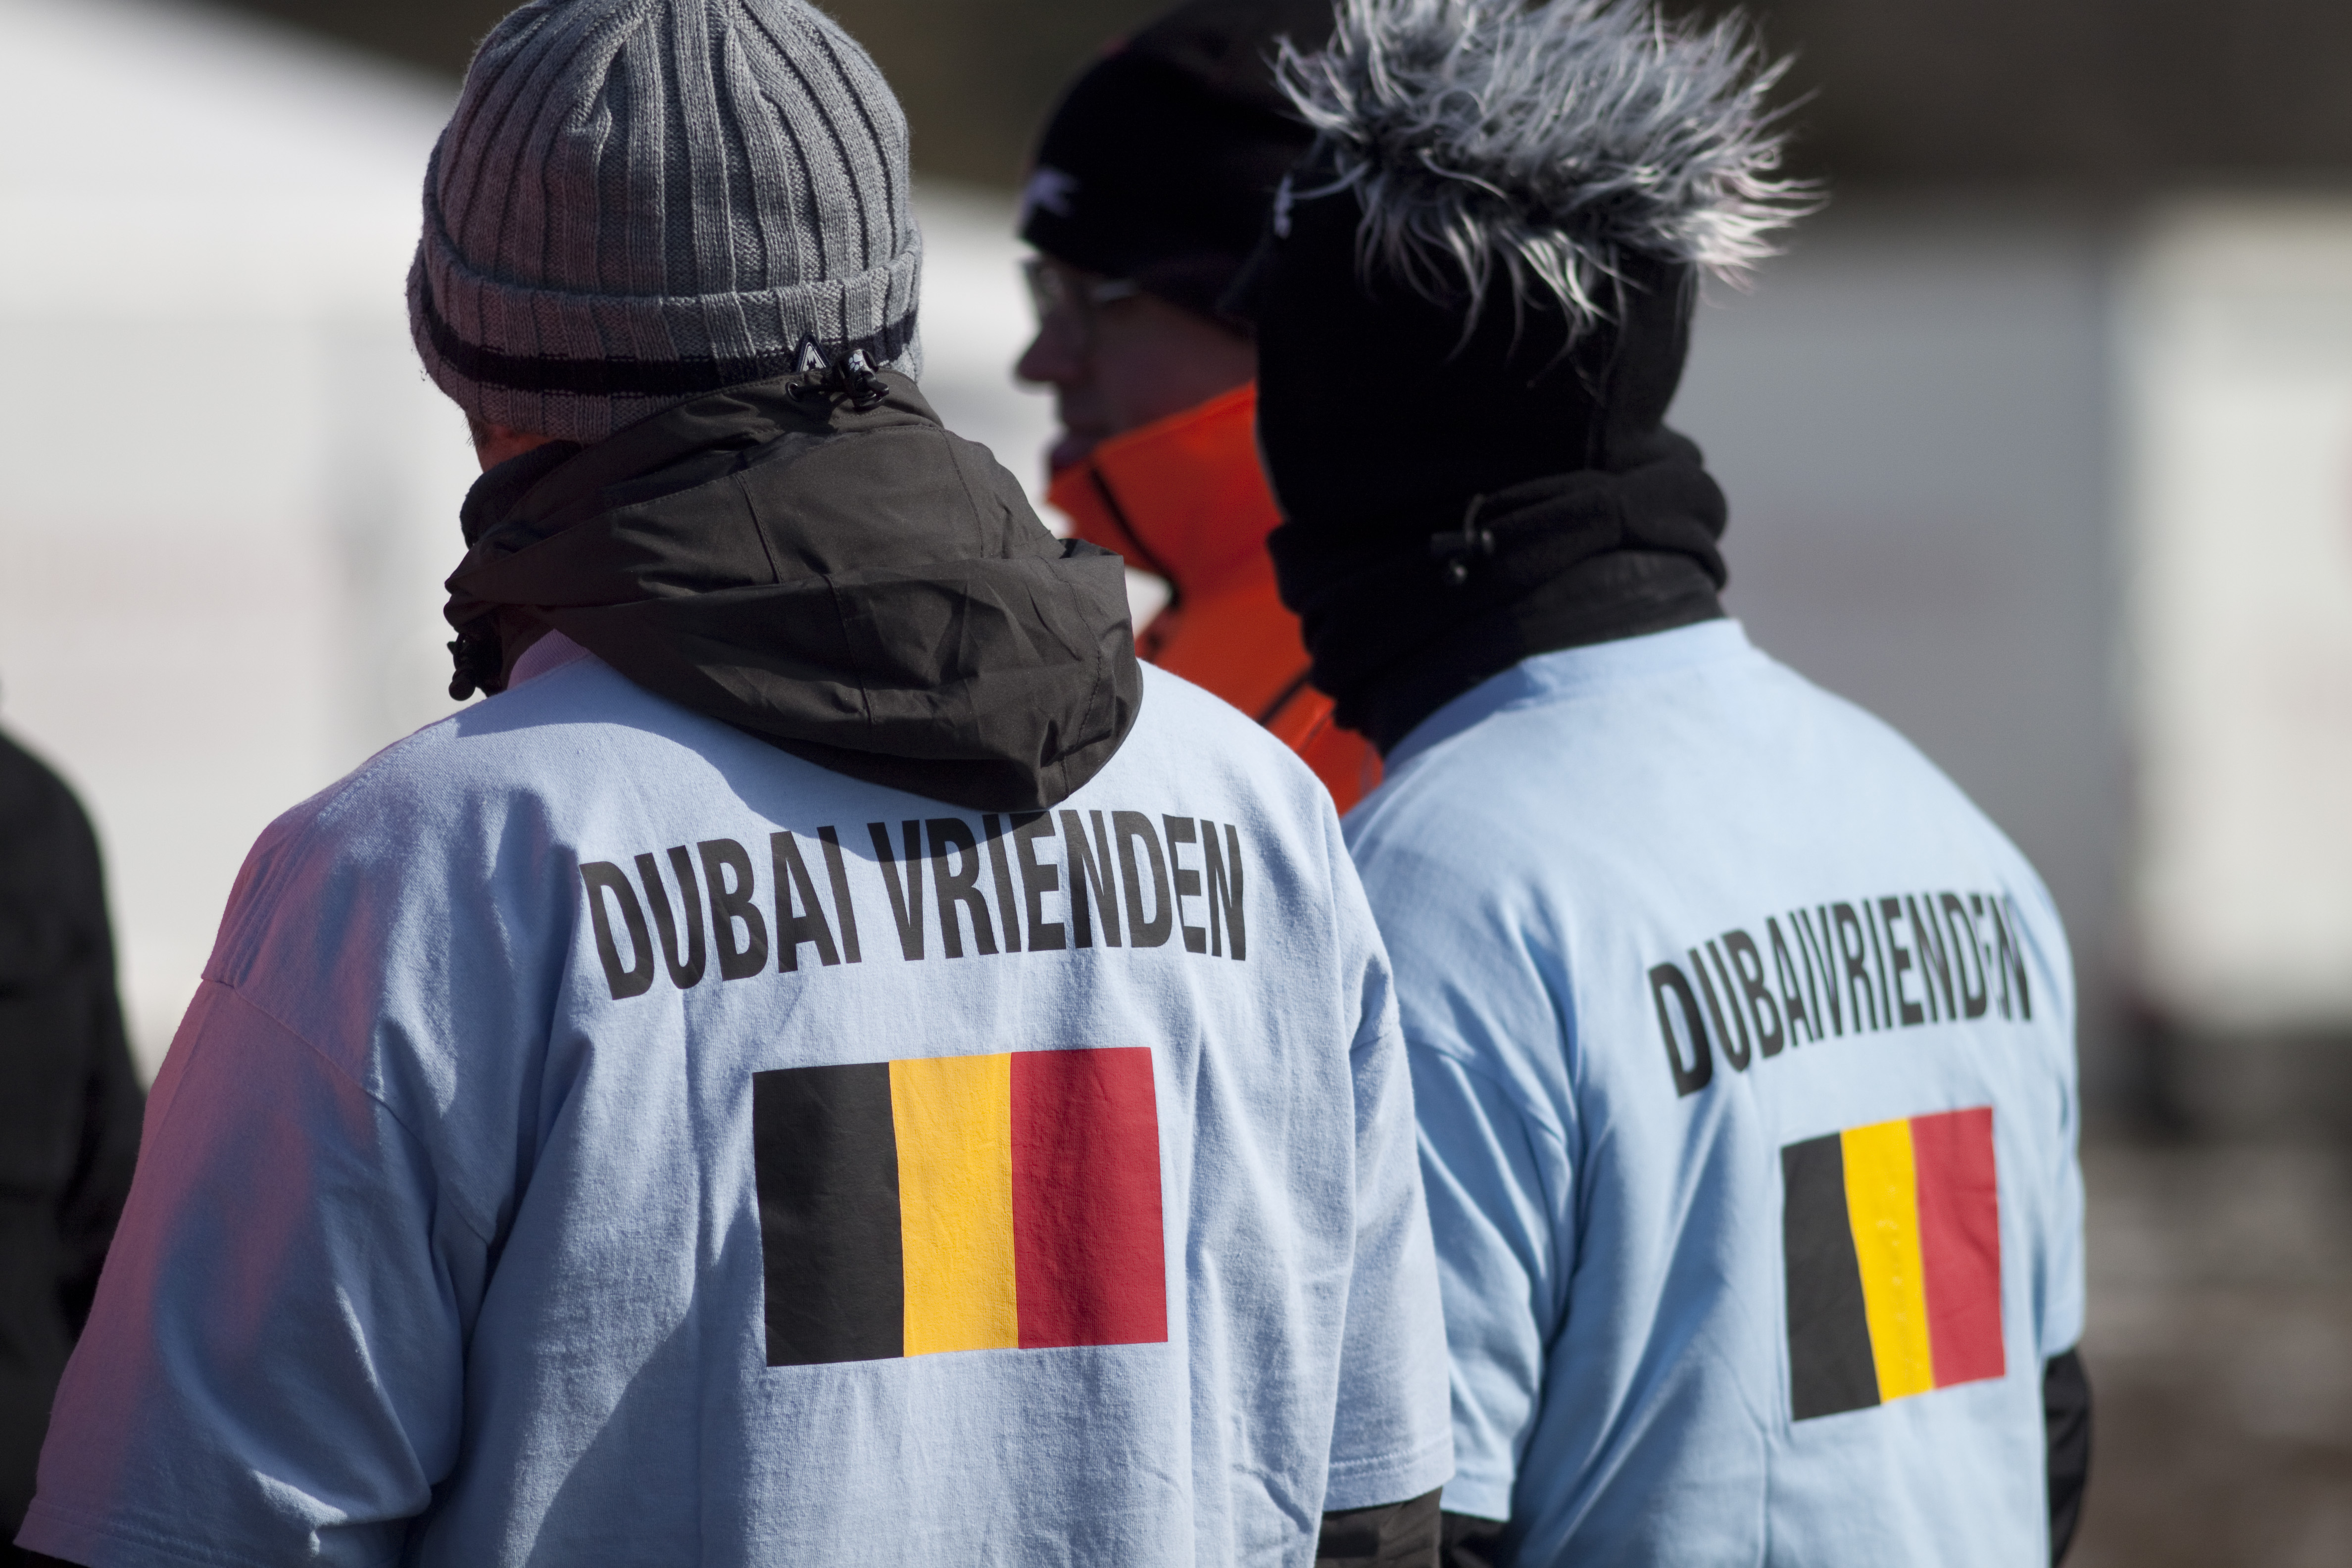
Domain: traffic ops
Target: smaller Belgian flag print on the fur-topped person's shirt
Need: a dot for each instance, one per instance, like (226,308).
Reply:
(1895,1261)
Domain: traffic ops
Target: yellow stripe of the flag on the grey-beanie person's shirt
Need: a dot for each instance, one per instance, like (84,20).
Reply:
(956,1202)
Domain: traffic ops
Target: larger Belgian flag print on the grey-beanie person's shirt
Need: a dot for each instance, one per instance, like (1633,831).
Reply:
(961,1202)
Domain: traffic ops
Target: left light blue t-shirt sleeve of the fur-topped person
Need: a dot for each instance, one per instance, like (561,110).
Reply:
(1492,1179)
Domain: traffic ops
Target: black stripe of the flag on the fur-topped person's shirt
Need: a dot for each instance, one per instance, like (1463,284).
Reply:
(1829,1327)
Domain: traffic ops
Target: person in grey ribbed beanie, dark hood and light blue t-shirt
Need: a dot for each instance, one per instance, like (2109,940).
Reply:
(831,1064)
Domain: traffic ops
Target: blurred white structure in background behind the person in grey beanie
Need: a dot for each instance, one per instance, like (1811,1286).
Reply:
(227,490)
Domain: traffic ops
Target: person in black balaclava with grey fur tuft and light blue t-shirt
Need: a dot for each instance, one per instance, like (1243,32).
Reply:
(1742,1040)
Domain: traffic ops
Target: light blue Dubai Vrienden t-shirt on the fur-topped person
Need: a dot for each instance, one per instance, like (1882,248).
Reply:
(1746,1085)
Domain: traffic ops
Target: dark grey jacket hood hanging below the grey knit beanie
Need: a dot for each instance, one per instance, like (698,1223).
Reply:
(855,587)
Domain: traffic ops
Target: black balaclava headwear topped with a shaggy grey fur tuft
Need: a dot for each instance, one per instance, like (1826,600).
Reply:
(1474,307)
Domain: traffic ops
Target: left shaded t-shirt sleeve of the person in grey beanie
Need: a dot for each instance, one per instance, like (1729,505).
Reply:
(274,1365)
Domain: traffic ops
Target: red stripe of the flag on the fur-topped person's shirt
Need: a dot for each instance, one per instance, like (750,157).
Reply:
(1960,1242)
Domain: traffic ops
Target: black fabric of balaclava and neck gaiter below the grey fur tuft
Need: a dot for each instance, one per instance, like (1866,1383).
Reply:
(1457,504)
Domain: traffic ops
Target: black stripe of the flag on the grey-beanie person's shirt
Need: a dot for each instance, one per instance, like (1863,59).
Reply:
(829,1214)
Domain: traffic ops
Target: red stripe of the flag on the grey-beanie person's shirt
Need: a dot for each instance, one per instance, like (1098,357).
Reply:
(1088,1240)
